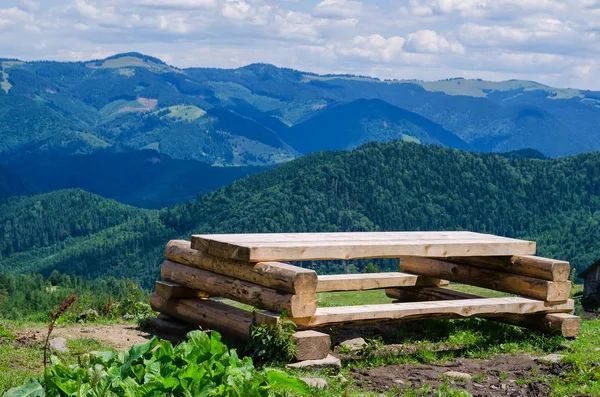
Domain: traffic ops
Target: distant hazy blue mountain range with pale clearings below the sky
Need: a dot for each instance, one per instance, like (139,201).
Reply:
(263,115)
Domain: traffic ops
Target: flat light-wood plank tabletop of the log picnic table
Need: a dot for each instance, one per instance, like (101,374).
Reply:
(332,246)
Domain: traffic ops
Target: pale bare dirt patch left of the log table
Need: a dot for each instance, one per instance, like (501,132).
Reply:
(118,336)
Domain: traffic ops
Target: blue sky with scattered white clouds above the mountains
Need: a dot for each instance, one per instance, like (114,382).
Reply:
(550,41)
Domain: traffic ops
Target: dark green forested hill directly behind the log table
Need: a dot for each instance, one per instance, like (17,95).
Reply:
(393,186)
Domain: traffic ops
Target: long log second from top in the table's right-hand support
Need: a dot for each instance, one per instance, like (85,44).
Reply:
(522,285)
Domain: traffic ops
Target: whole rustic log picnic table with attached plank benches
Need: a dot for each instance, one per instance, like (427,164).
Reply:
(251,269)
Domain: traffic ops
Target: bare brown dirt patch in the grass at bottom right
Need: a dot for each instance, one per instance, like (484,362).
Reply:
(512,376)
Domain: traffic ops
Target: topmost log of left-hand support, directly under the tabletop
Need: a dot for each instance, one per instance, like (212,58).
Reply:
(280,276)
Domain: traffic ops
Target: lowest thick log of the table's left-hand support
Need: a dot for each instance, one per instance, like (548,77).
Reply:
(209,314)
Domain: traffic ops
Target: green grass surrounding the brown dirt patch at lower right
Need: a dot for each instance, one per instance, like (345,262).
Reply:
(476,339)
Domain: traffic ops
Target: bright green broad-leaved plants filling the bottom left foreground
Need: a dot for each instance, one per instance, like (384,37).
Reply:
(201,366)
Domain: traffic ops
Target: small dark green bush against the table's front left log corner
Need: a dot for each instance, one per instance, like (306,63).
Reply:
(272,343)
